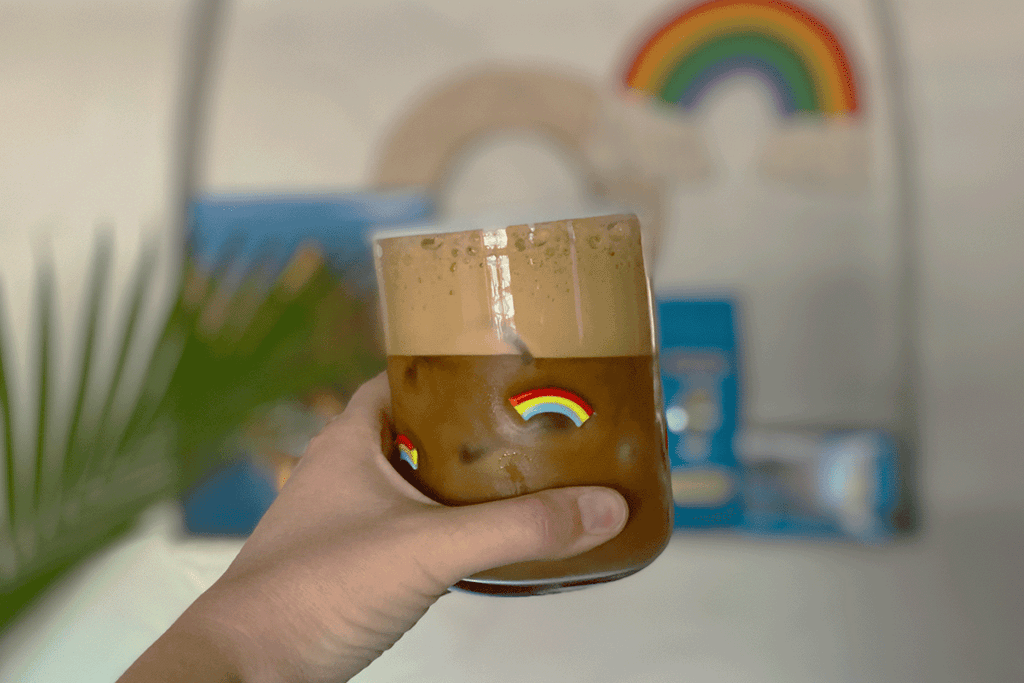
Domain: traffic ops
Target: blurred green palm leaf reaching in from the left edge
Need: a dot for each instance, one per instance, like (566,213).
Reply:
(232,344)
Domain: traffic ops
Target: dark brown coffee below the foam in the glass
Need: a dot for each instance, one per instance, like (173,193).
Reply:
(474,447)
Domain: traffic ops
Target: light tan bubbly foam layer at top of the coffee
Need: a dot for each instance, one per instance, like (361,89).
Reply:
(574,288)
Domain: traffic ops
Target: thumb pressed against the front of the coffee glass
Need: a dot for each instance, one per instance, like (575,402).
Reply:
(546,526)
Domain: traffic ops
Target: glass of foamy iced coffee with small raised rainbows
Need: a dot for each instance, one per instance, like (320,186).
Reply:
(523,358)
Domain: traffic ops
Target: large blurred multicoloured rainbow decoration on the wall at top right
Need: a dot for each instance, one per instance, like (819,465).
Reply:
(791,50)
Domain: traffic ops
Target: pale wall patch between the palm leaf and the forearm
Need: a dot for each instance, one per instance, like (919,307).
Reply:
(94,624)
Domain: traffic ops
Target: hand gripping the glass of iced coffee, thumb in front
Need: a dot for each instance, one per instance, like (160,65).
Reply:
(351,557)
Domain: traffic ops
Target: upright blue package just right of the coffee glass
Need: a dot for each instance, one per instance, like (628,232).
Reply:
(701,379)
